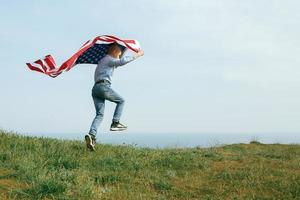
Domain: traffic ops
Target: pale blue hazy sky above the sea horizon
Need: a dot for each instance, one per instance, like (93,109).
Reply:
(209,66)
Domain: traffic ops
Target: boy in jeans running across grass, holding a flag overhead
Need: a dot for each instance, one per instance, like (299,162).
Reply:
(102,91)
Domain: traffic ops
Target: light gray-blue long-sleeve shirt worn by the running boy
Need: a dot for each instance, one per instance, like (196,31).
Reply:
(106,66)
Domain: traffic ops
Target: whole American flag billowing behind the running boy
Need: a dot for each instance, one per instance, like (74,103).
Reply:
(90,53)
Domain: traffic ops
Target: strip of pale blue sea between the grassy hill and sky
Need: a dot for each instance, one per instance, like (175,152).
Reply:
(180,140)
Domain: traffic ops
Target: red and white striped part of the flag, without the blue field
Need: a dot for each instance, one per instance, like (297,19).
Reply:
(47,64)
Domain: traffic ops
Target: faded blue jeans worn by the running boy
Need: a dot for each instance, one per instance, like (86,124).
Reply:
(100,93)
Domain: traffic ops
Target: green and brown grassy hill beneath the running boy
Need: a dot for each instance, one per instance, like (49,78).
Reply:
(42,168)
